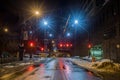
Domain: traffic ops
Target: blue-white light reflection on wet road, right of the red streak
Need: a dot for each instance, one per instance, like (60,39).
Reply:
(74,72)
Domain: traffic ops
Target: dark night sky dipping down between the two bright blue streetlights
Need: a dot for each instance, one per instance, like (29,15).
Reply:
(10,10)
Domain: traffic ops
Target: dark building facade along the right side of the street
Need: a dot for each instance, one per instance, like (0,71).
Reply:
(106,29)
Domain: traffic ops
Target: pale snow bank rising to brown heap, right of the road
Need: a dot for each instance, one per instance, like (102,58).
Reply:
(103,65)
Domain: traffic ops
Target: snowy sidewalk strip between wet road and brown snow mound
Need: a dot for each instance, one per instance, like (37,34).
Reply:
(104,74)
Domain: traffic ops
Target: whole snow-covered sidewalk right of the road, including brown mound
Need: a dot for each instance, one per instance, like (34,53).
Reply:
(103,68)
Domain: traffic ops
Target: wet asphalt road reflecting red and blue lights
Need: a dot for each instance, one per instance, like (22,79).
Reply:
(57,69)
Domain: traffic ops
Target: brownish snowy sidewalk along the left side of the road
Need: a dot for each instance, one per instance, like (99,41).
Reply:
(9,69)
